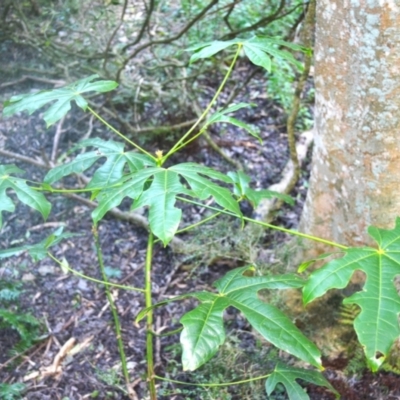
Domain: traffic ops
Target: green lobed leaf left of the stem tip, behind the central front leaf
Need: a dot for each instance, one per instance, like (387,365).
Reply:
(110,172)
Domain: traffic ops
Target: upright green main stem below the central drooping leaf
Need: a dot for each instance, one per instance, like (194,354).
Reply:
(149,321)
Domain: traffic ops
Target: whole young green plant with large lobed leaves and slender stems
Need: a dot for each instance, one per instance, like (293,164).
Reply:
(137,174)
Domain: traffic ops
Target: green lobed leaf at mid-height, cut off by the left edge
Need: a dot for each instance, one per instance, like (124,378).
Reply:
(25,194)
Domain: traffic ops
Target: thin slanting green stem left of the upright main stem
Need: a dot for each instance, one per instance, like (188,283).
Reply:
(110,299)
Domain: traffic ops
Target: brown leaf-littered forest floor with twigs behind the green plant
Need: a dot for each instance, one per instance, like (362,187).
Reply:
(74,309)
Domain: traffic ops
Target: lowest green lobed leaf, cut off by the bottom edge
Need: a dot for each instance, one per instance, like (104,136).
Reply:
(287,376)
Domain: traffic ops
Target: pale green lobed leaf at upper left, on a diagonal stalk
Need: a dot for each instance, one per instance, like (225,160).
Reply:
(61,96)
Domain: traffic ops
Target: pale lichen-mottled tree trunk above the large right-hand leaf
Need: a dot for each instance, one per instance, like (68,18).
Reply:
(355,179)
